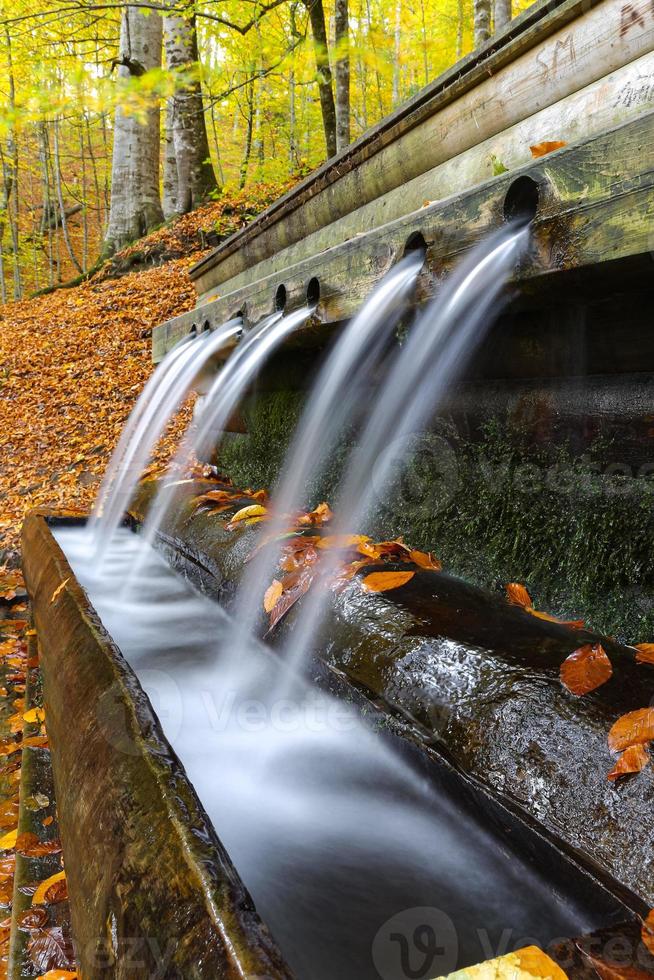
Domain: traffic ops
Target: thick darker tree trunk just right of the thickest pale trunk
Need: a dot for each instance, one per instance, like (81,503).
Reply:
(185,114)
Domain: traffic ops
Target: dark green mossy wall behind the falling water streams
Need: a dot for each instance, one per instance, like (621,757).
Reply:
(571,526)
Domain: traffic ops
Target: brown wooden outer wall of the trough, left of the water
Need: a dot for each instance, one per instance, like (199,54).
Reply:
(152,891)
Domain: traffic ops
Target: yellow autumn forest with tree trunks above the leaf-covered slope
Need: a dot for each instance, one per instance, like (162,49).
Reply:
(115,118)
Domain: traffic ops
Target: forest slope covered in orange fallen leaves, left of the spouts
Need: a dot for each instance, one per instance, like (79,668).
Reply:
(72,362)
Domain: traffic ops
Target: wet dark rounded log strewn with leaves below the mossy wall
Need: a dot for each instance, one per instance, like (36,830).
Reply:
(478,680)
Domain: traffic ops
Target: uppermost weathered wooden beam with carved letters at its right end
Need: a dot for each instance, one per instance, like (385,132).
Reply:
(537,68)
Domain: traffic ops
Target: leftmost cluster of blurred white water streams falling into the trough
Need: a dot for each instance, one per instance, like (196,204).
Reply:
(168,388)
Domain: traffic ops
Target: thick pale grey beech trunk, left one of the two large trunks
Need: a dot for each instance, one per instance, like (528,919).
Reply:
(135,198)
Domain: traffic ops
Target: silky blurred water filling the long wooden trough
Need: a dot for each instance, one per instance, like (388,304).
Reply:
(340,843)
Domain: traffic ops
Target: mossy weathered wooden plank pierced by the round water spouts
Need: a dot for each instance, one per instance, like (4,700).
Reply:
(596,205)
